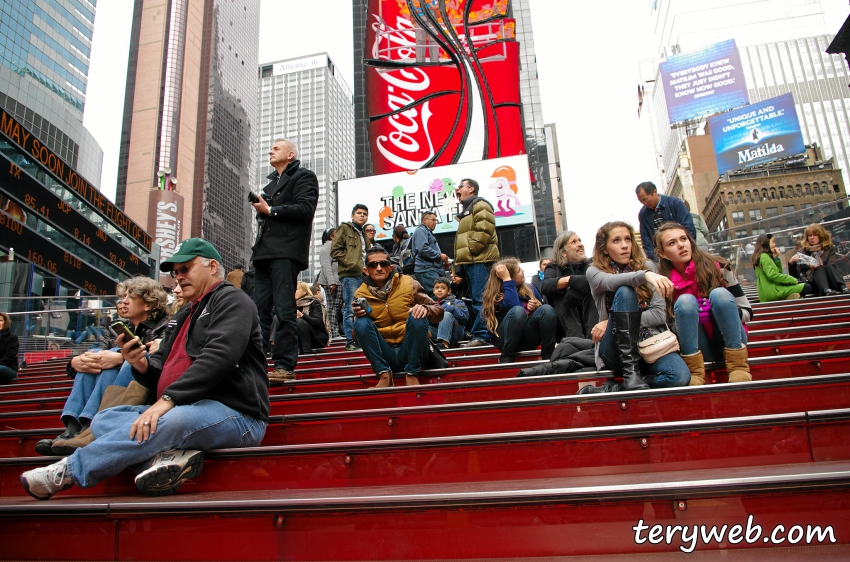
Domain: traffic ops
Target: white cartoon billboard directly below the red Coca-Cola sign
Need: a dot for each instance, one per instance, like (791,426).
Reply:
(402,197)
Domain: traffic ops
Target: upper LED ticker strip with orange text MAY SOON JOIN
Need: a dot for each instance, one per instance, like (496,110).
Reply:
(19,135)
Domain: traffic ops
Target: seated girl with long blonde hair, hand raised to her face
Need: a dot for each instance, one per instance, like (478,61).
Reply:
(515,314)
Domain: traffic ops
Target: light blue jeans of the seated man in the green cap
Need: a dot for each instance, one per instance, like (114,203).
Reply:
(204,425)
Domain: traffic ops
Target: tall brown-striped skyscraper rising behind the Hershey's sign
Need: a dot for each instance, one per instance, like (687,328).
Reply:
(189,118)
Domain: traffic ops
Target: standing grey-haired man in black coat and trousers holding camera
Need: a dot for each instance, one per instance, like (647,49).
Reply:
(285,210)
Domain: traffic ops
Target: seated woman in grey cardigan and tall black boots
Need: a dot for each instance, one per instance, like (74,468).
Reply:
(629,296)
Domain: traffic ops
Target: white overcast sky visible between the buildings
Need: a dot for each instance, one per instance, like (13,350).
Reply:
(587,54)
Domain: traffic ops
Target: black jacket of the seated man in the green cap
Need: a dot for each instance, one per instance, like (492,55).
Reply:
(224,342)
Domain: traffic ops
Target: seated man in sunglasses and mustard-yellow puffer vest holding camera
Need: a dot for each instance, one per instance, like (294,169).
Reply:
(393,316)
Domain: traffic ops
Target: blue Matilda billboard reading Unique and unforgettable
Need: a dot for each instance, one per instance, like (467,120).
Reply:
(756,134)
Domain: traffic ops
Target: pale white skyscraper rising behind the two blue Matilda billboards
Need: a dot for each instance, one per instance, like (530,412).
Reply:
(782,48)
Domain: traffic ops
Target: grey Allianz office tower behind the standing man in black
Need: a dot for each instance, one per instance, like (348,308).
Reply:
(306,100)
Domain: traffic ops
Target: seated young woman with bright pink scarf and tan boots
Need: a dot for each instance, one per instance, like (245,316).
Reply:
(709,306)
